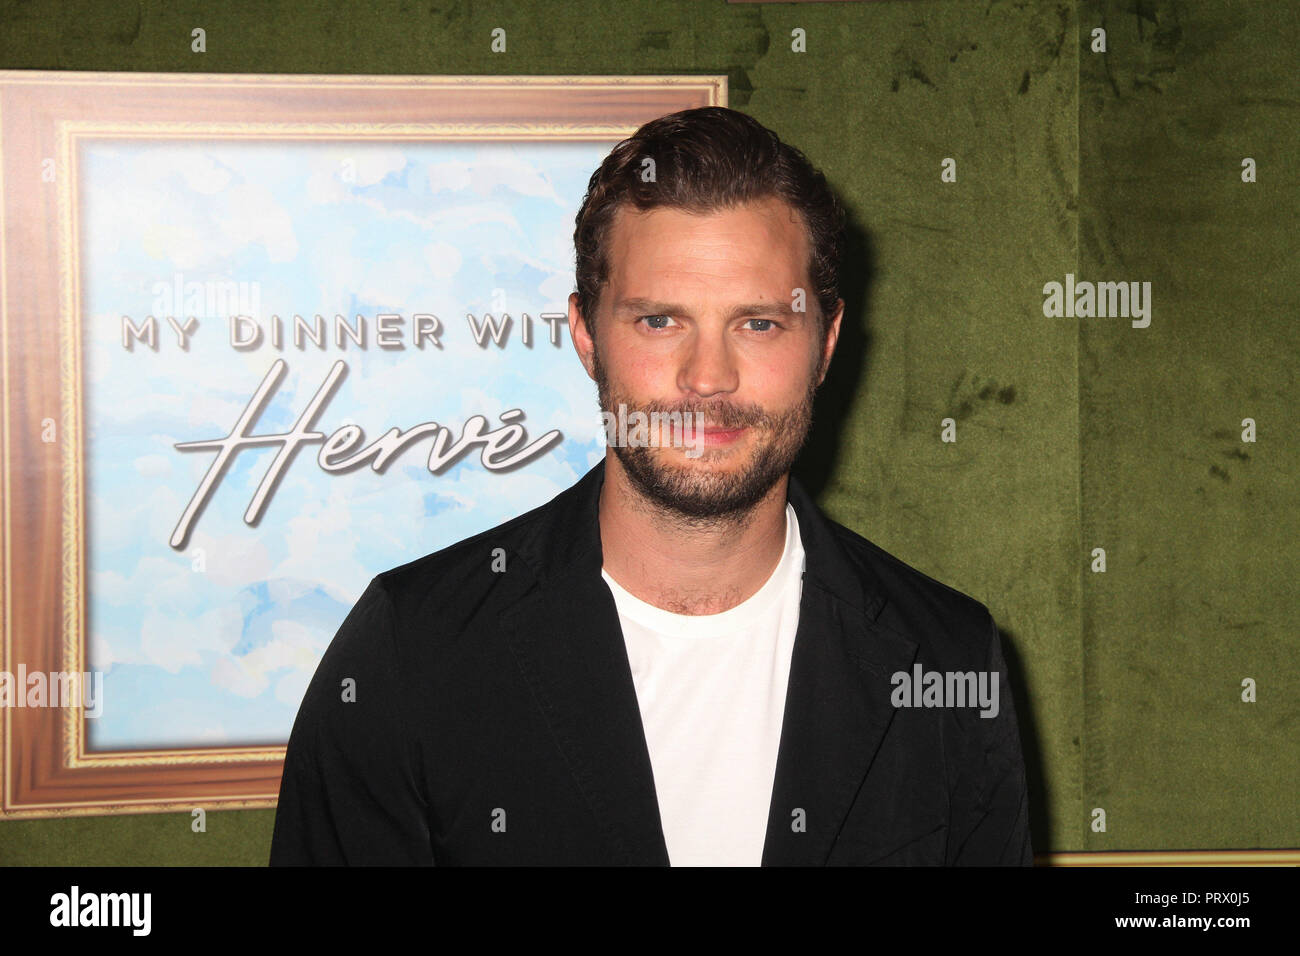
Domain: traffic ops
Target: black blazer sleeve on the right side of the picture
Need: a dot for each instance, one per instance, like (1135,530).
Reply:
(991,820)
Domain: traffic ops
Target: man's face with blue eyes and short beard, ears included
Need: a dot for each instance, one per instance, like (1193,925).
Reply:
(699,318)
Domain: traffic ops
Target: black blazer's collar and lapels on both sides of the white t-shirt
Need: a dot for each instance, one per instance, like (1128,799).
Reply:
(569,642)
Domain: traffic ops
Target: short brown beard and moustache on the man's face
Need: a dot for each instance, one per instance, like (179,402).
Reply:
(699,495)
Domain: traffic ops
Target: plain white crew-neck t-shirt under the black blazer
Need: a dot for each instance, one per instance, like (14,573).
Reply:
(712,691)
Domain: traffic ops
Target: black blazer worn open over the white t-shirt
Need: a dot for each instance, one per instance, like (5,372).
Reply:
(496,720)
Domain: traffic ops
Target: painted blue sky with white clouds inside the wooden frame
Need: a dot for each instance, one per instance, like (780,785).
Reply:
(224,656)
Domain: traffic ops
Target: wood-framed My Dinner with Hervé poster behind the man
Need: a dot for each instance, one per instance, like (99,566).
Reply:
(265,338)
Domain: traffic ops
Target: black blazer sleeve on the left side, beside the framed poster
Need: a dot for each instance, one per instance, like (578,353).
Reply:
(350,794)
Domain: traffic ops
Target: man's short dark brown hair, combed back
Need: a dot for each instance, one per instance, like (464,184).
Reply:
(708,159)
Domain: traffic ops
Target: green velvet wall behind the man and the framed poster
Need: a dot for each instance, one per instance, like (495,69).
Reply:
(1073,434)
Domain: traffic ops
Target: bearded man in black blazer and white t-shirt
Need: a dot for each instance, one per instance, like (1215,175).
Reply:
(679,660)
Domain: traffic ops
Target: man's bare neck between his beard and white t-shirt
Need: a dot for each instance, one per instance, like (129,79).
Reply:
(684,566)
